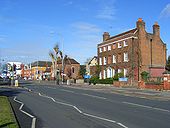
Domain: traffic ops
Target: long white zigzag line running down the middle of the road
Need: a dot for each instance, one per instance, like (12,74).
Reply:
(85,114)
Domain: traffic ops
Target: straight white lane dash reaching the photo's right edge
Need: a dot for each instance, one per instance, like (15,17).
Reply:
(144,106)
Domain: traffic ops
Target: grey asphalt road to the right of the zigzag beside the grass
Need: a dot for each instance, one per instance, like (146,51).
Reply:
(64,107)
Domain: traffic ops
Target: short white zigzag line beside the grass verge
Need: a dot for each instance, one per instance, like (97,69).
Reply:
(20,108)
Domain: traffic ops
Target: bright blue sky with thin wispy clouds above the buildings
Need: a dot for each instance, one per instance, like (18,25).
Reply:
(29,29)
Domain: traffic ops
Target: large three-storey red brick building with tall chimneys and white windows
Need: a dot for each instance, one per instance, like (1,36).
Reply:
(132,52)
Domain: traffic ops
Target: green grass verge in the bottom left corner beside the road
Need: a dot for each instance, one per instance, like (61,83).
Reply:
(7,118)
